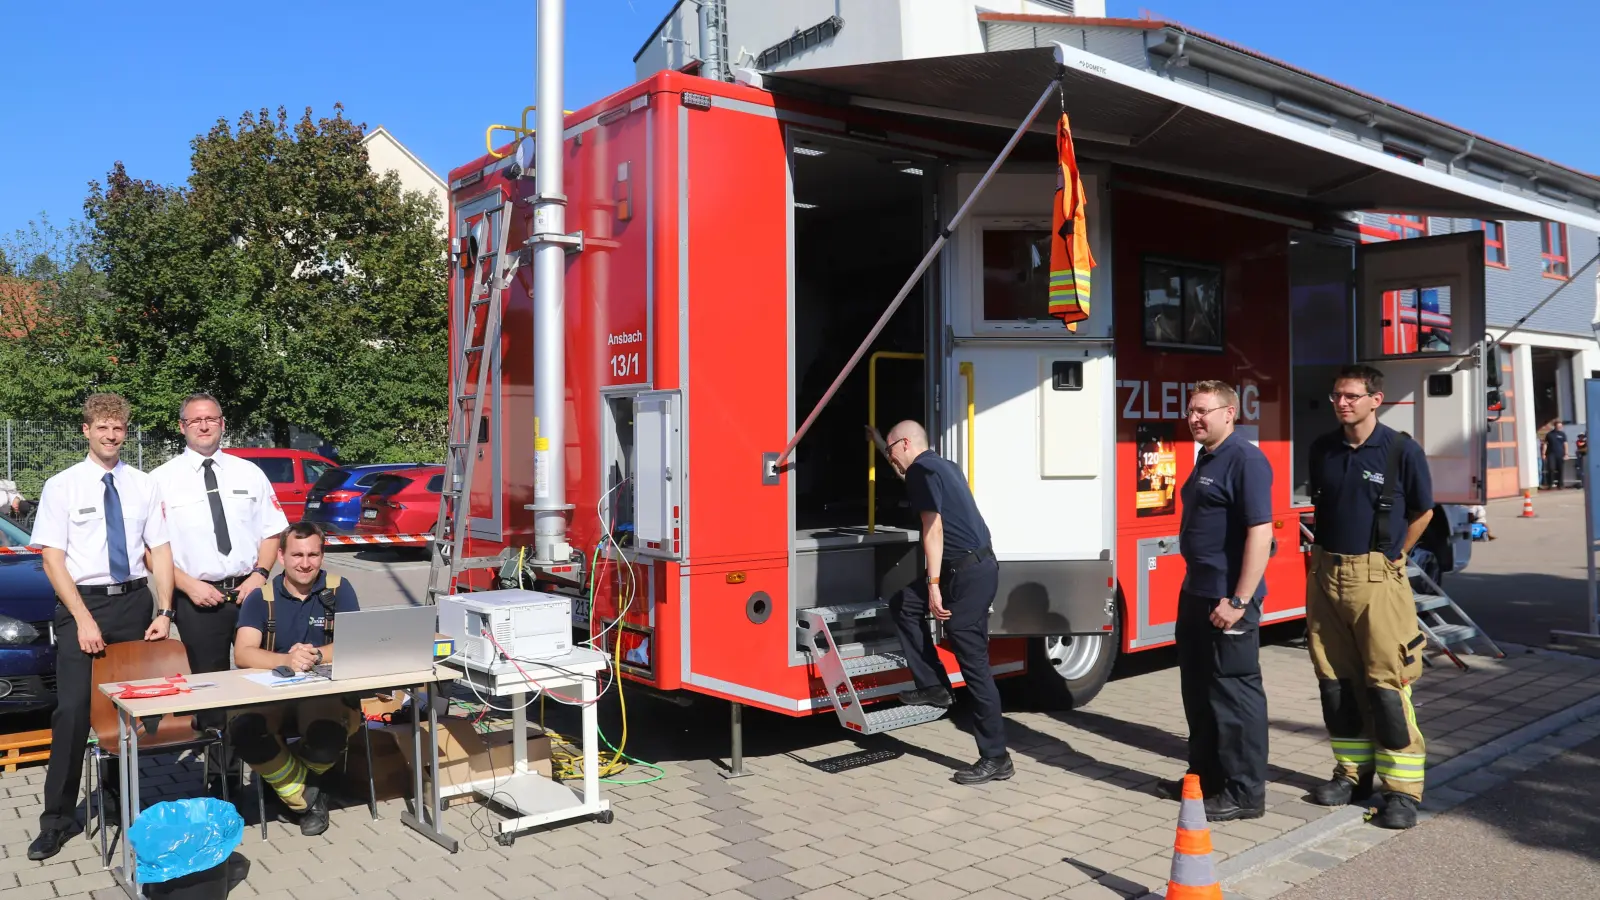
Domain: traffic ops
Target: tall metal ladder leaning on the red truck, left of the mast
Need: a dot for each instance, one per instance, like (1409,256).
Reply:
(490,278)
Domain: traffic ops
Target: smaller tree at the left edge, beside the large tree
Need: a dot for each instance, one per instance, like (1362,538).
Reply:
(52,315)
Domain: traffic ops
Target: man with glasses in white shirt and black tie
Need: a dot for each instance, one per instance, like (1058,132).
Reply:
(225,523)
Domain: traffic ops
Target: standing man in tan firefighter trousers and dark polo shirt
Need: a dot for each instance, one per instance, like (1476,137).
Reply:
(1374,499)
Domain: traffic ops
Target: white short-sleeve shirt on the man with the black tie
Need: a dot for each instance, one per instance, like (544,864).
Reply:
(250,508)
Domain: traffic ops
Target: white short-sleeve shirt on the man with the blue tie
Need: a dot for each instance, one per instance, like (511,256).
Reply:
(73,518)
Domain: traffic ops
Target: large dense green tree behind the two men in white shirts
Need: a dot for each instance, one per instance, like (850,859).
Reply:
(286,278)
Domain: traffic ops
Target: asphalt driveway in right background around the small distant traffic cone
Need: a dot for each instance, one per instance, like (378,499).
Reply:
(1534,577)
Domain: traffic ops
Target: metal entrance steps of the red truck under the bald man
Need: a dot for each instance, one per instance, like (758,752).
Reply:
(865,651)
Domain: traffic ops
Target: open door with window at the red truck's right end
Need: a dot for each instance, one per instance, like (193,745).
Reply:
(1436,385)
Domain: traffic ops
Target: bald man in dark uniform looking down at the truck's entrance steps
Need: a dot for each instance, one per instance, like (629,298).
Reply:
(959,589)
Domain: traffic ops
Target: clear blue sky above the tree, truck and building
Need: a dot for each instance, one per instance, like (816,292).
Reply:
(102,82)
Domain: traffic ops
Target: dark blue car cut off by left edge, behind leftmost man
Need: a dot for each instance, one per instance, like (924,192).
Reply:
(28,605)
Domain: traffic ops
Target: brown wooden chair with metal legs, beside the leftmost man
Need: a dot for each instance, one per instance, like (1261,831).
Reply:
(138,661)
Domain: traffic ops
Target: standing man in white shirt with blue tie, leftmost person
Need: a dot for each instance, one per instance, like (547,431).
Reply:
(97,526)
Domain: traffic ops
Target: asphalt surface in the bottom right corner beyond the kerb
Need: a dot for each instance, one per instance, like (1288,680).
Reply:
(1535,837)
